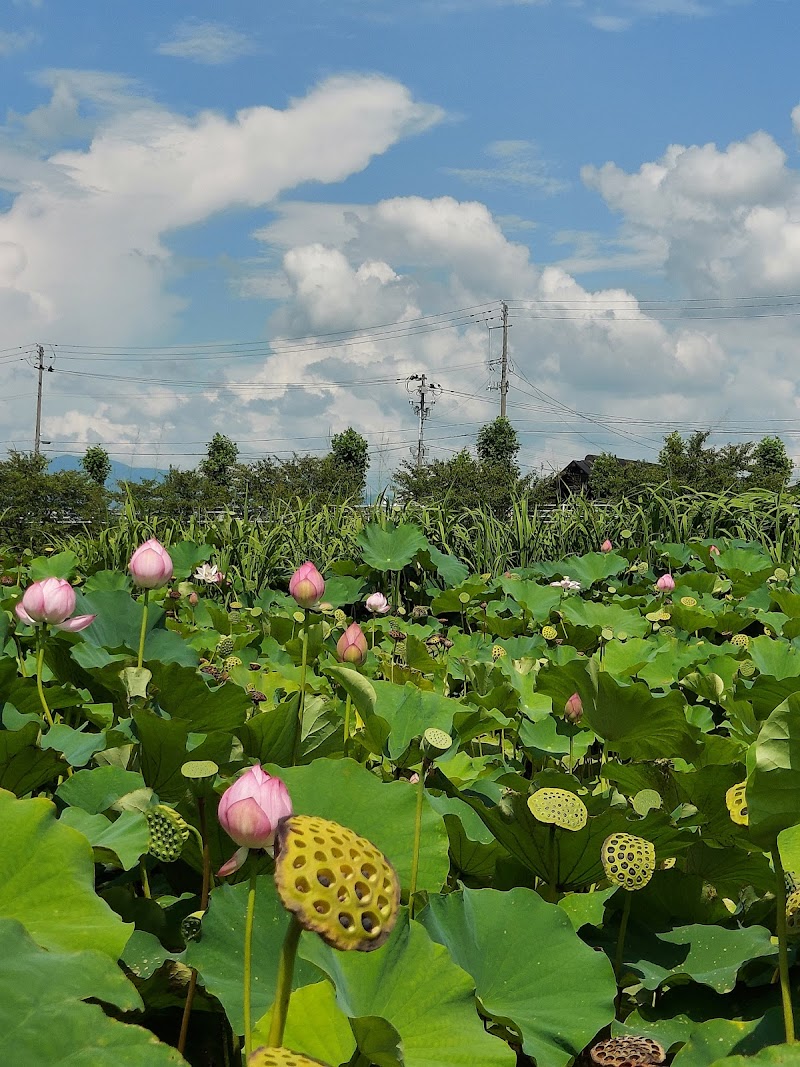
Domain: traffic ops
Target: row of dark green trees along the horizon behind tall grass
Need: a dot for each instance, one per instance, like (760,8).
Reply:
(37,500)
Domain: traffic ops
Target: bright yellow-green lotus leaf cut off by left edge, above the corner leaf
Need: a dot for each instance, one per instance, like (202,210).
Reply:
(47,882)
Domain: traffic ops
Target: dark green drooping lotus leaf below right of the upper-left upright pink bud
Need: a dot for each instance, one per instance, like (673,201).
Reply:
(183,693)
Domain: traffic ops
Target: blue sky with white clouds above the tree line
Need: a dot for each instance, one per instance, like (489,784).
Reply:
(353,174)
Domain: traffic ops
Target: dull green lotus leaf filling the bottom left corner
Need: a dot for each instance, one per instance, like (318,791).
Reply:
(44,1021)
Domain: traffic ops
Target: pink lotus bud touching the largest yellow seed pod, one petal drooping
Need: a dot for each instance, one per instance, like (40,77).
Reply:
(250,811)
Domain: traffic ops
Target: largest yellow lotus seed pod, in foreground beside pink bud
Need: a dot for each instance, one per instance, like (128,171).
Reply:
(337,883)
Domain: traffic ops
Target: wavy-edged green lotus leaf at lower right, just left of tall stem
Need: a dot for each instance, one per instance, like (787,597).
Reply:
(710,955)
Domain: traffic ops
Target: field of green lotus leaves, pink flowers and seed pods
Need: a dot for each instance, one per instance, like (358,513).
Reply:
(392,813)
